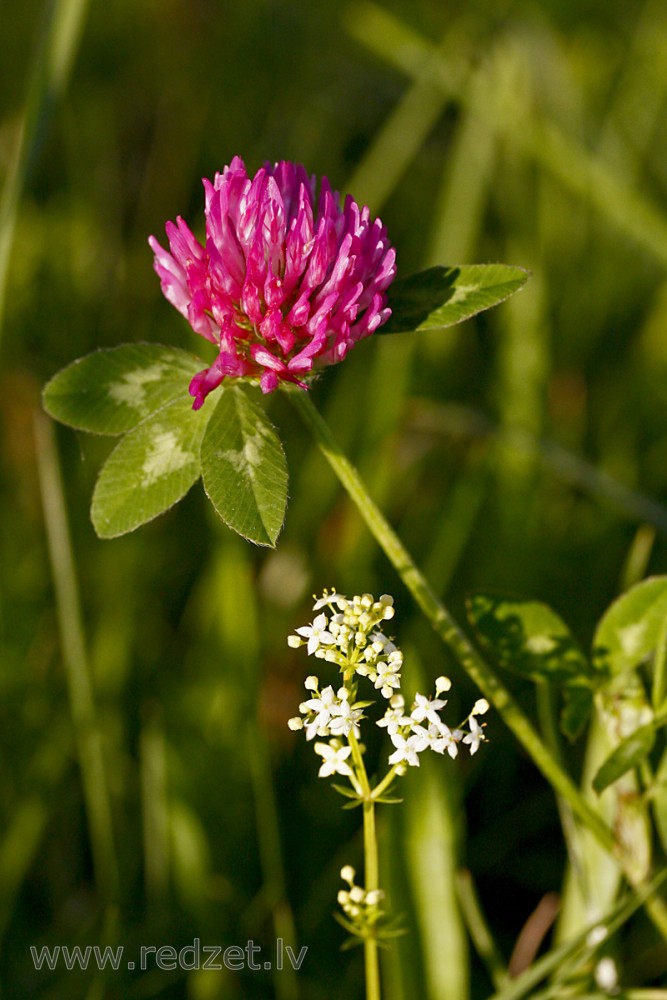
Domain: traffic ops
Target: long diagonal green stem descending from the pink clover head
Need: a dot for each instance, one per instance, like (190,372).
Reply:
(445,625)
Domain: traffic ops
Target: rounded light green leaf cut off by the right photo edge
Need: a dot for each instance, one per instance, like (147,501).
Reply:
(631,628)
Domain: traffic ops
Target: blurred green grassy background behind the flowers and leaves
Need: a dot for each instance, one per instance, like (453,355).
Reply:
(524,451)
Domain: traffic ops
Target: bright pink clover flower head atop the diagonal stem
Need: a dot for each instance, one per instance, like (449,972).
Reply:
(286,281)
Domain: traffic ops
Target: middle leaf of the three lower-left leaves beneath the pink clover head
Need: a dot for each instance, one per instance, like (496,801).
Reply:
(151,468)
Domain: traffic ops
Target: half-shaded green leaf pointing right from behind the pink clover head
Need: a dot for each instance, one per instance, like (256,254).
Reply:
(442,296)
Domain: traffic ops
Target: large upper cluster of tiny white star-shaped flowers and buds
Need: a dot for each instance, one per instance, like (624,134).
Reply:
(350,637)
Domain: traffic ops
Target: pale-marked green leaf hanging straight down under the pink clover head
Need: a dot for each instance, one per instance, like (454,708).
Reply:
(244,468)
